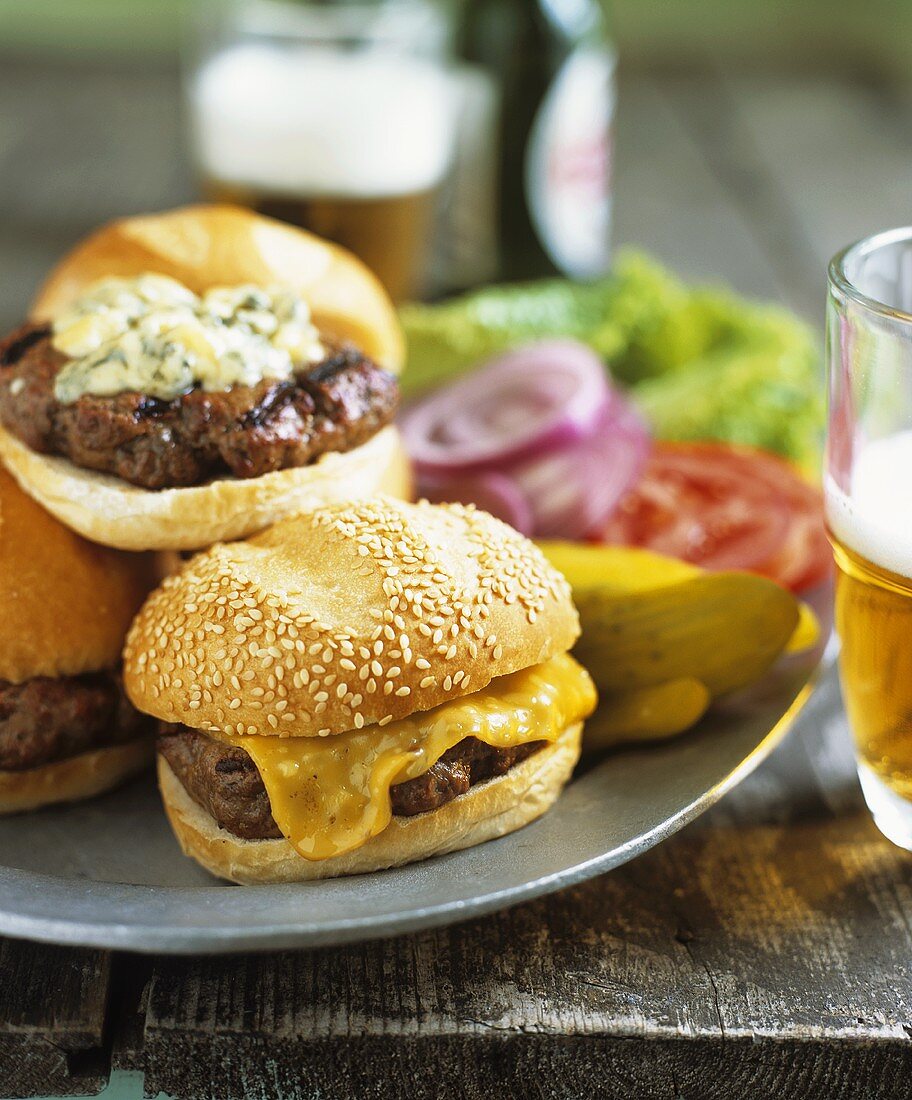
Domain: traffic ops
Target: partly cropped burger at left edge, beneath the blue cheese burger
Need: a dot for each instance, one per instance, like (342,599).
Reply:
(67,729)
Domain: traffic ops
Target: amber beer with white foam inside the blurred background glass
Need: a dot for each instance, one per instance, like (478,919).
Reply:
(350,145)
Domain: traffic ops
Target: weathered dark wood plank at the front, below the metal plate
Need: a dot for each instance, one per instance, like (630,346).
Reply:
(755,937)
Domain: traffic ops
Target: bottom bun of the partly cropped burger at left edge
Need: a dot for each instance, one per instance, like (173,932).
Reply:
(81,777)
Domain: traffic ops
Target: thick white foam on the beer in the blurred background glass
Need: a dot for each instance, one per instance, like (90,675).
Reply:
(313,122)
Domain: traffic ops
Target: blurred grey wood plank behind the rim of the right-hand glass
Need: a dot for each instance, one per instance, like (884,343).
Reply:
(812,163)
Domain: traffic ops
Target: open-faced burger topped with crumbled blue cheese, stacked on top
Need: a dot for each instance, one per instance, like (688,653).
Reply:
(195,376)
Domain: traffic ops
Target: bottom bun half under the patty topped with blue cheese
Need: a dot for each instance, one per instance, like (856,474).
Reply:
(112,512)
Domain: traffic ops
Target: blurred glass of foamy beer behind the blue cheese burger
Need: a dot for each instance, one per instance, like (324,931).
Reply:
(336,117)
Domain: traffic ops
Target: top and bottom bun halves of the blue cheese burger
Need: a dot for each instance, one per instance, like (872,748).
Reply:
(205,247)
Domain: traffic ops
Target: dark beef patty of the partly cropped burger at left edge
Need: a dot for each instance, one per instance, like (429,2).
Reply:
(51,719)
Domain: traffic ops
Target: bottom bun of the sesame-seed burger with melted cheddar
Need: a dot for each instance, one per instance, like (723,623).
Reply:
(487,811)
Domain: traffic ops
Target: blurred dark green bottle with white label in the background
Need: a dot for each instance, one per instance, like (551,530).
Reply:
(550,68)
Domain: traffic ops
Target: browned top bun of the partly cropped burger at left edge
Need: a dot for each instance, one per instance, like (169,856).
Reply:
(65,604)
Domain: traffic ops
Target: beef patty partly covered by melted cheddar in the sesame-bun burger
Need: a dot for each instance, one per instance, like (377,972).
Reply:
(225,782)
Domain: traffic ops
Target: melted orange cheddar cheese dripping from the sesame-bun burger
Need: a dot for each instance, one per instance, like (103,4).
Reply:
(332,795)
